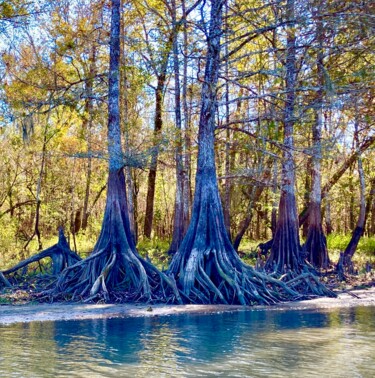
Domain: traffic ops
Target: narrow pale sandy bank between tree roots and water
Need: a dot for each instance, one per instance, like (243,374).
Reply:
(11,314)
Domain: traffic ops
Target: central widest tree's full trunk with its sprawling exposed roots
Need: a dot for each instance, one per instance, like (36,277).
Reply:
(206,267)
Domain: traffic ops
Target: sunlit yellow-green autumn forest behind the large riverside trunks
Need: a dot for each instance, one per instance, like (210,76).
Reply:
(53,98)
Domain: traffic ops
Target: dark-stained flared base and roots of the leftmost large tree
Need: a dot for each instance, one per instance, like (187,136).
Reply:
(115,272)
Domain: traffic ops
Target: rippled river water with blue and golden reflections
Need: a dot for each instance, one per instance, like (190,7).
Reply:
(338,343)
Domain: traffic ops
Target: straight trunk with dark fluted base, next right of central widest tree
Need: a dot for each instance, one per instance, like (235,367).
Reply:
(285,250)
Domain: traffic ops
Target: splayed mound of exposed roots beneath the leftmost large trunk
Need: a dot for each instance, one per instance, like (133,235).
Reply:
(117,276)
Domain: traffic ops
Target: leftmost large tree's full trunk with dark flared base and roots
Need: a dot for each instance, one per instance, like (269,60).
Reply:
(115,271)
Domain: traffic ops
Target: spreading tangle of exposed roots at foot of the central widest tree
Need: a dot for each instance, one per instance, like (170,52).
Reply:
(238,283)
